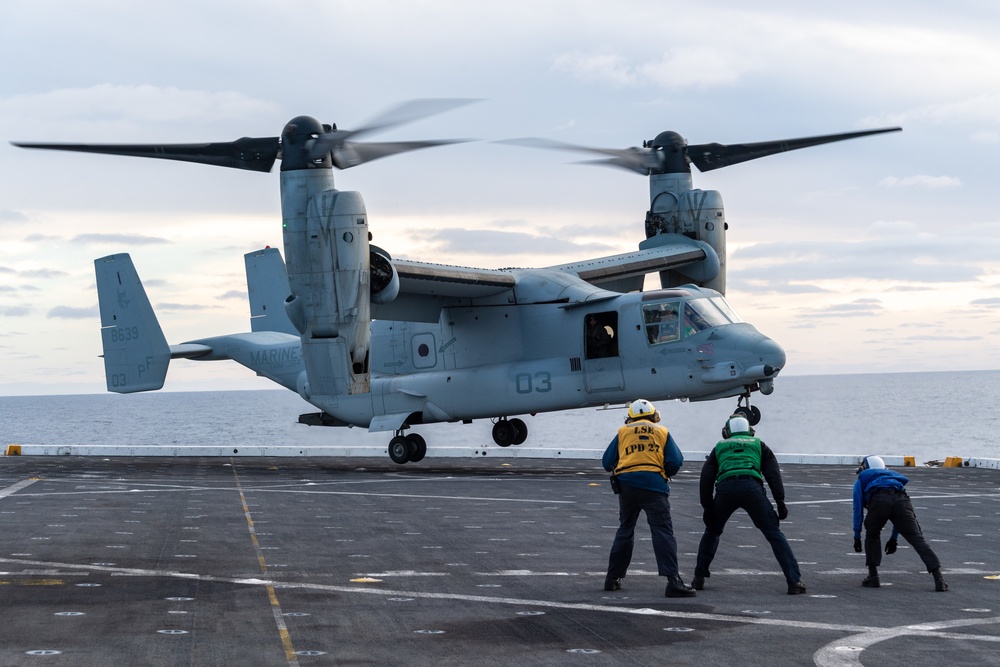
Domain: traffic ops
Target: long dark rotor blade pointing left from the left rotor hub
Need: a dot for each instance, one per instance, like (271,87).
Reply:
(254,154)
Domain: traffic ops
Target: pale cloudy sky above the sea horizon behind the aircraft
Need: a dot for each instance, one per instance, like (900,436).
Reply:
(867,256)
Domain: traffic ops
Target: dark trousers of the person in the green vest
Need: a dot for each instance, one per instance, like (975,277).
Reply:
(746,494)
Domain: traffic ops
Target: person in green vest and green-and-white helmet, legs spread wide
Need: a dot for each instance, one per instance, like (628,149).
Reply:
(736,470)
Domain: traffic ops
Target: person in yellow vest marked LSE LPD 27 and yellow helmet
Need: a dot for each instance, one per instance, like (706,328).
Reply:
(642,456)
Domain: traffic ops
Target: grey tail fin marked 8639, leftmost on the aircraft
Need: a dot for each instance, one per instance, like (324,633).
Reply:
(136,354)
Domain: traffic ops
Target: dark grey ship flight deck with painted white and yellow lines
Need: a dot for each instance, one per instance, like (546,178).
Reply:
(486,561)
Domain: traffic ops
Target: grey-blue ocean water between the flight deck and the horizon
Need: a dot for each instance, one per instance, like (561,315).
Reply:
(926,415)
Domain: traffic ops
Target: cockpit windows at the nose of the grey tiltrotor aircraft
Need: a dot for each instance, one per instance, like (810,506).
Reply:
(670,315)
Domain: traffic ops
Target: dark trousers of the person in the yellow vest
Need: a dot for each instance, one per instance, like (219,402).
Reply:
(656,505)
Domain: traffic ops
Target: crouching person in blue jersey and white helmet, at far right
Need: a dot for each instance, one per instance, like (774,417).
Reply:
(881,492)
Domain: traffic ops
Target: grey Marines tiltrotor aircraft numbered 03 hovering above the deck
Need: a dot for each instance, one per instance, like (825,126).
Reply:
(389,344)
